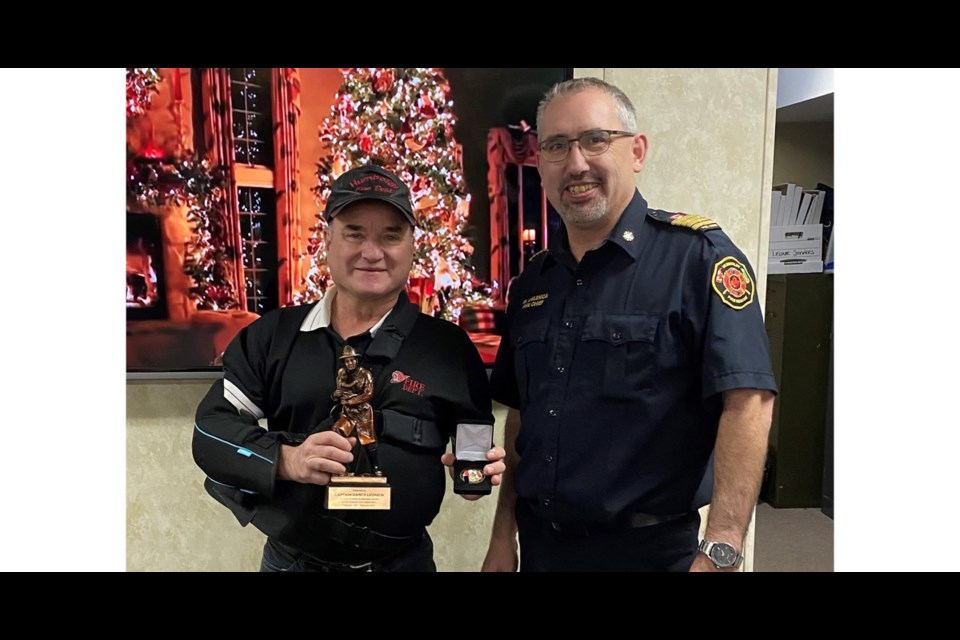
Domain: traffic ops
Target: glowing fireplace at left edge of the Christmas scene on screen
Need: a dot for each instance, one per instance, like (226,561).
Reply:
(145,287)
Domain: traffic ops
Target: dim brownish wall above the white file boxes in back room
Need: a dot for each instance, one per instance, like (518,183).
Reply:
(803,154)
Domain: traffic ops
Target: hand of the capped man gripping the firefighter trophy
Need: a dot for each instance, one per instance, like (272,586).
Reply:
(320,456)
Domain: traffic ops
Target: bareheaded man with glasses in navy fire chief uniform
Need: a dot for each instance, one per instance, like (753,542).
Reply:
(634,356)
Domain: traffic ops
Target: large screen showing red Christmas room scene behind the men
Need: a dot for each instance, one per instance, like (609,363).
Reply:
(228,172)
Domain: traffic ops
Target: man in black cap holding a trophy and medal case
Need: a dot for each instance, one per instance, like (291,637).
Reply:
(283,368)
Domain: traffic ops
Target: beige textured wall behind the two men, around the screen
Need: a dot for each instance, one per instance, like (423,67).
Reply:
(711,153)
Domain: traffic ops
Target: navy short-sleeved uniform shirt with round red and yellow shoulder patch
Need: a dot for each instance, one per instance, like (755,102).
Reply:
(617,365)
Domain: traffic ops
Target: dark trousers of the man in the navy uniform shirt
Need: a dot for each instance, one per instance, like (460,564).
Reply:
(668,546)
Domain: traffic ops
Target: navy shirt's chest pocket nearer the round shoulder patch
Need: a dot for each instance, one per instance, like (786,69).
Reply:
(625,343)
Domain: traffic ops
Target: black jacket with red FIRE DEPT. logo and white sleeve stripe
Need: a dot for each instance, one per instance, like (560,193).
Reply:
(282,368)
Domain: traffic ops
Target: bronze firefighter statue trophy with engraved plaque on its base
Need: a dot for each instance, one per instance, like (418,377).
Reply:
(354,391)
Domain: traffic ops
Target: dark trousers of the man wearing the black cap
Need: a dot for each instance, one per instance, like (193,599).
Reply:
(281,557)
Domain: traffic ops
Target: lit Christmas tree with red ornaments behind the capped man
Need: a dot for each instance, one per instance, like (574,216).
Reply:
(403,120)
